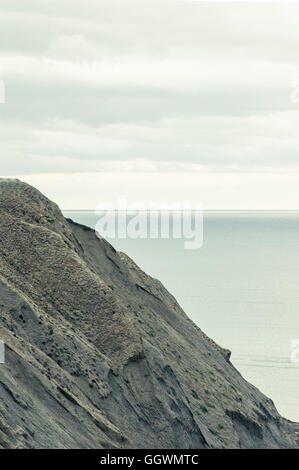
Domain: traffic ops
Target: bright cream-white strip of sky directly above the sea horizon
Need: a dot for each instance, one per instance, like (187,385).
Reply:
(257,190)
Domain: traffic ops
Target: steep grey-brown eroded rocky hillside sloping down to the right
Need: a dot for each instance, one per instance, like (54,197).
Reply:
(100,355)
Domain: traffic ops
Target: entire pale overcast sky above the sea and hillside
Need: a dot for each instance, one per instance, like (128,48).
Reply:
(161,101)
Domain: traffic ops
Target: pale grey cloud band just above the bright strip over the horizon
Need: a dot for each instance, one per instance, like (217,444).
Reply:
(263,142)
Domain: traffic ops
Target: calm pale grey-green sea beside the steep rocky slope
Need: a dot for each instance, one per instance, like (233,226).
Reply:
(241,288)
